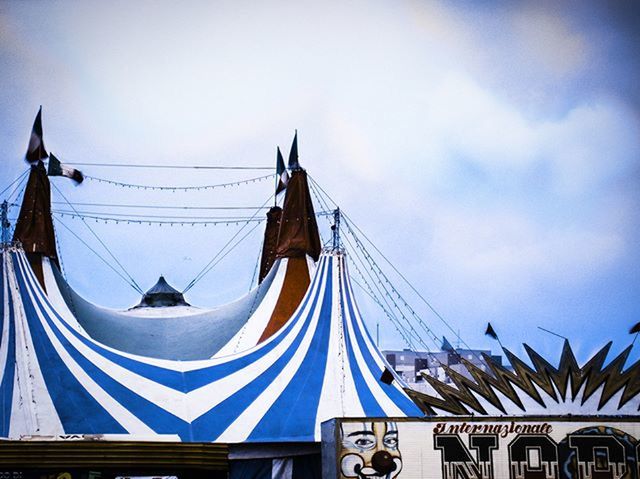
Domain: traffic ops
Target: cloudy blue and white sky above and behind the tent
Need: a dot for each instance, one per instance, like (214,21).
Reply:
(490,149)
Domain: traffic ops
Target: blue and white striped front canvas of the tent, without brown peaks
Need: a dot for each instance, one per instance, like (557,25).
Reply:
(56,380)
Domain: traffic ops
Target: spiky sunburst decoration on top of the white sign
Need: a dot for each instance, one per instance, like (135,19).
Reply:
(522,390)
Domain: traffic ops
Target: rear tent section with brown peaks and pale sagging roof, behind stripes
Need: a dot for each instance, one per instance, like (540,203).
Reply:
(183,332)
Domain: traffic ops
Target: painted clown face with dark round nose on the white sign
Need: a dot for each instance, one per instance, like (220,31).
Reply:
(370,450)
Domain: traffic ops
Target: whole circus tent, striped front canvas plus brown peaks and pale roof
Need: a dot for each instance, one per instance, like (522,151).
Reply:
(268,368)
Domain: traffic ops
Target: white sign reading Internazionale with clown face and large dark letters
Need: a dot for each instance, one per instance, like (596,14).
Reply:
(482,448)
